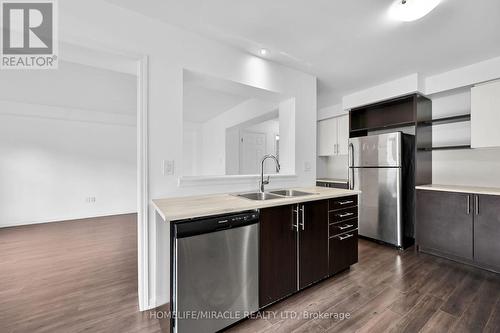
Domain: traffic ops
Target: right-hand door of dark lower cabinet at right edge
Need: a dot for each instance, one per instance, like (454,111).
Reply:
(487,231)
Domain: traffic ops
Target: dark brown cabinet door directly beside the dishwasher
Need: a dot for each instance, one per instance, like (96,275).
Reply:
(278,254)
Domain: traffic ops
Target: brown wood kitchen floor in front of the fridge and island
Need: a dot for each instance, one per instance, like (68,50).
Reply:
(389,291)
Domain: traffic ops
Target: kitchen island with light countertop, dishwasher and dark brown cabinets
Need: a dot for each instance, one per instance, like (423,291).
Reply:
(230,254)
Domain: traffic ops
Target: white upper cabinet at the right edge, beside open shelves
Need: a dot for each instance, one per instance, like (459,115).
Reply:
(485,115)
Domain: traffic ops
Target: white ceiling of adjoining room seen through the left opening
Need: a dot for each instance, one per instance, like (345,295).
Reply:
(73,86)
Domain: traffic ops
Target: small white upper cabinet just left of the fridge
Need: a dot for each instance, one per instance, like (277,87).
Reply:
(333,136)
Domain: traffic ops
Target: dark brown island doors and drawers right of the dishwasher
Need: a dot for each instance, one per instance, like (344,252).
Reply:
(298,247)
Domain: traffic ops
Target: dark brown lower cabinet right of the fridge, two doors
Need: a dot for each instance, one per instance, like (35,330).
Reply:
(460,226)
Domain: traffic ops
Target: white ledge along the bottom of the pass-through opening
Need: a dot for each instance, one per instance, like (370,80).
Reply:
(185,181)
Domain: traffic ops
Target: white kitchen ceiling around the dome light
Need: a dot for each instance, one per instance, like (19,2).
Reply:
(349,45)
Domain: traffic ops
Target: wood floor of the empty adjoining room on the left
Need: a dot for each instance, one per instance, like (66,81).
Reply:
(75,276)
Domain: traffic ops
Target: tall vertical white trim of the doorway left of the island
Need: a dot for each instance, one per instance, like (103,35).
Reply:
(143,259)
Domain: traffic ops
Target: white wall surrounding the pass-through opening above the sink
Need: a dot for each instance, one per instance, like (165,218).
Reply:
(170,50)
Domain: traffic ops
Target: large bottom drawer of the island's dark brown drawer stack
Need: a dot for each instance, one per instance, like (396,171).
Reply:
(343,251)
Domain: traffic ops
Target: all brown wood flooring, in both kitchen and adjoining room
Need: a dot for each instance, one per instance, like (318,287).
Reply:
(81,276)
